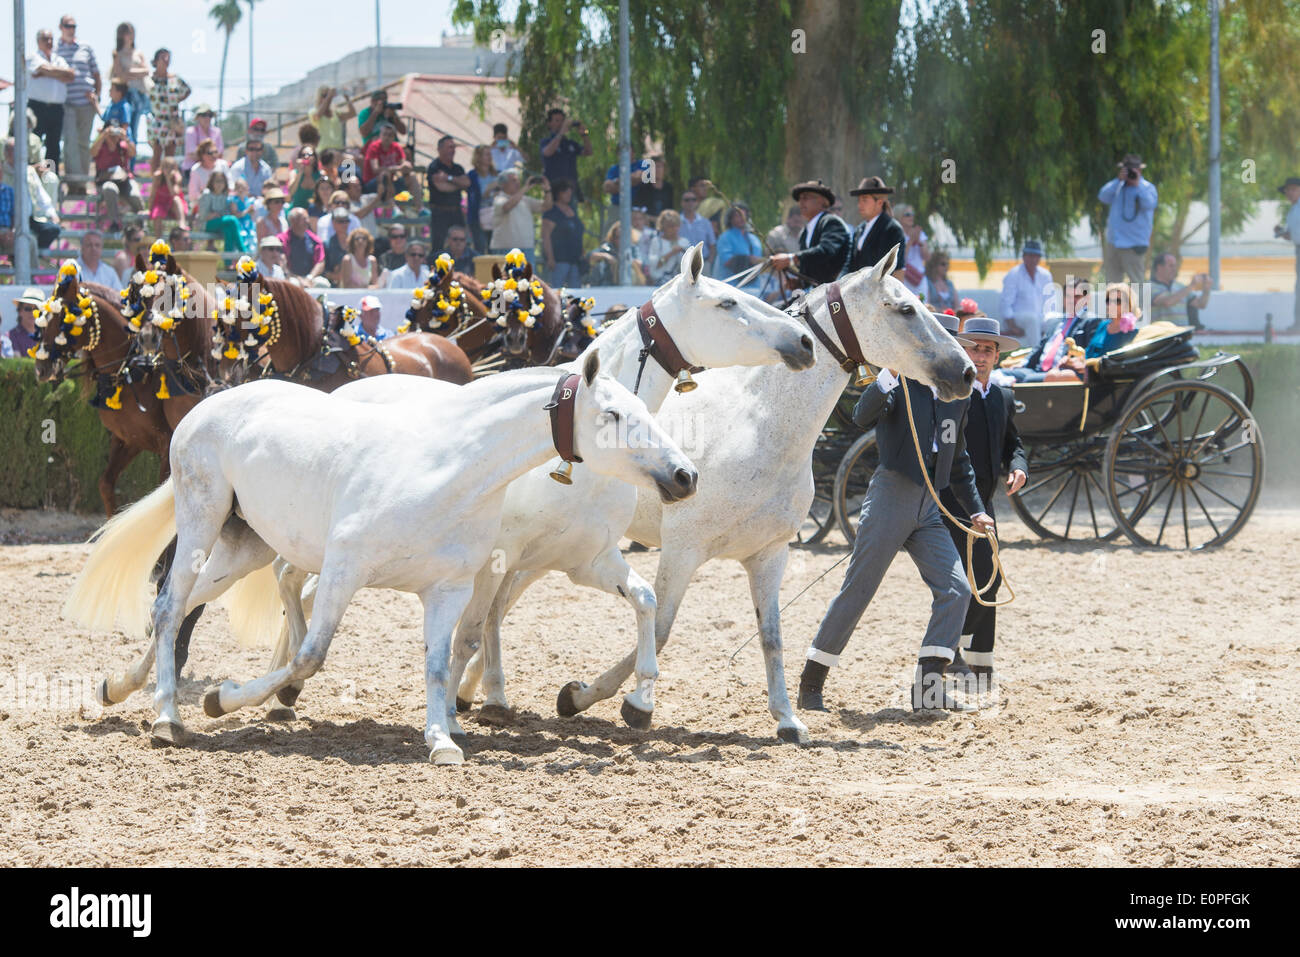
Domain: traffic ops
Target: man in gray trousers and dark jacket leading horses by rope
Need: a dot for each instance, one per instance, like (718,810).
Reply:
(898,513)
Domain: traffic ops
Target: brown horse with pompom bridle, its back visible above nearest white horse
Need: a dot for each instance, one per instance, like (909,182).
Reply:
(297,344)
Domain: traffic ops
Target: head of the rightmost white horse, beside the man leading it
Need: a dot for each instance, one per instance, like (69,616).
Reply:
(896,331)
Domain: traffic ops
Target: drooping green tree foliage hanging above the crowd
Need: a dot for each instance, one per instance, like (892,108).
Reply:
(1030,103)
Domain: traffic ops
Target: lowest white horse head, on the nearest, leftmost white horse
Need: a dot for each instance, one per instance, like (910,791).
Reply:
(616,435)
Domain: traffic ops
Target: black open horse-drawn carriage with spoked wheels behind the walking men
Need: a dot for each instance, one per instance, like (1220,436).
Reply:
(1158,444)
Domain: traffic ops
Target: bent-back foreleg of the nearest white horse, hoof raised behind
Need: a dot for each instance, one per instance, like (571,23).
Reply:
(339,583)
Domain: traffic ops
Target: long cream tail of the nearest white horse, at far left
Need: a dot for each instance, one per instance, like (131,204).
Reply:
(115,584)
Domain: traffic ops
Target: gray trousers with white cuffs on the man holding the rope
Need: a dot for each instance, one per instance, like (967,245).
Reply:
(898,514)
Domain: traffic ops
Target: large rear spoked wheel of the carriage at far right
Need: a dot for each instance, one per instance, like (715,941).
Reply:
(1193,480)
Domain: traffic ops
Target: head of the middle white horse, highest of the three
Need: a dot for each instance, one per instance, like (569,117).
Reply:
(716,324)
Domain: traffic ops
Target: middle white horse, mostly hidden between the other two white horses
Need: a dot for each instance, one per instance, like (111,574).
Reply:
(577,530)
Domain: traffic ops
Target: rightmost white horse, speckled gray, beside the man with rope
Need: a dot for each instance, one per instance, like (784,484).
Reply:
(755,438)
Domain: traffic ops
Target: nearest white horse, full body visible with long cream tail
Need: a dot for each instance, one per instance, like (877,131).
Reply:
(359,496)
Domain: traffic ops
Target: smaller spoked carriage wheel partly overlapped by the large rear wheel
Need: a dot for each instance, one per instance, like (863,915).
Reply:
(1064,497)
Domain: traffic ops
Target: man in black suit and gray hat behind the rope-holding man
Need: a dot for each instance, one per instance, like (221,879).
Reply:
(996,456)
